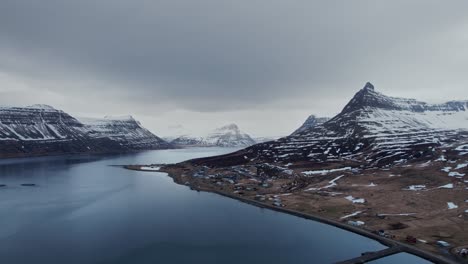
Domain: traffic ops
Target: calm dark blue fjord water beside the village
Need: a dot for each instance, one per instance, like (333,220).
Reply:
(84,211)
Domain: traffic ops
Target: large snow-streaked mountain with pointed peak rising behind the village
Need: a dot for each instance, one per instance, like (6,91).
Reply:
(373,130)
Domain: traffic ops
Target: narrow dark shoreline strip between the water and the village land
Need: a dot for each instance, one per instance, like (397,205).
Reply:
(405,248)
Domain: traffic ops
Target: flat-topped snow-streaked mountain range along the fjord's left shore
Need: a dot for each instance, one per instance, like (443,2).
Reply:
(43,130)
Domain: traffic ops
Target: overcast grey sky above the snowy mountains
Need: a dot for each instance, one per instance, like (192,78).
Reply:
(199,64)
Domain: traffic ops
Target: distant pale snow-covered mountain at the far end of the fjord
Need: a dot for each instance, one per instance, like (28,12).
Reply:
(226,136)
